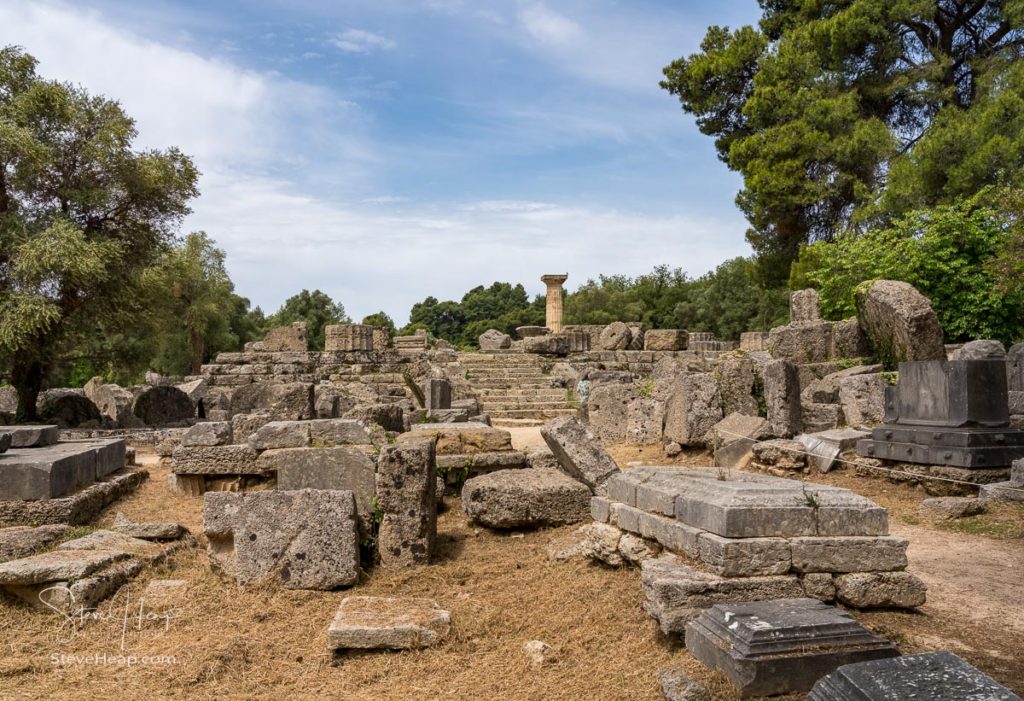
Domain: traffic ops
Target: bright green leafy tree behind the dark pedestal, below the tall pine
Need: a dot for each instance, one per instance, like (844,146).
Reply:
(951,253)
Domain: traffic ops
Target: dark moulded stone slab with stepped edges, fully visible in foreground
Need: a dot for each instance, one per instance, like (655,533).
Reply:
(783,646)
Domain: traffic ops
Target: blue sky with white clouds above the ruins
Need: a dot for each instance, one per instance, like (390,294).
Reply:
(390,150)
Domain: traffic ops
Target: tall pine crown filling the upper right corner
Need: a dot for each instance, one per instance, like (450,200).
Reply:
(840,115)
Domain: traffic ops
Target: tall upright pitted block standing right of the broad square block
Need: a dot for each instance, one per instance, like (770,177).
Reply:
(407,483)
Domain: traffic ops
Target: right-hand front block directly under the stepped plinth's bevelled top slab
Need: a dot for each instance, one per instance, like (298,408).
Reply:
(848,554)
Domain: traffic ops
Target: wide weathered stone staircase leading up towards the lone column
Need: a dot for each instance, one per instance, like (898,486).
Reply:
(513,387)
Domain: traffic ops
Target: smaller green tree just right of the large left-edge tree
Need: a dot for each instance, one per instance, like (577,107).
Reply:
(195,295)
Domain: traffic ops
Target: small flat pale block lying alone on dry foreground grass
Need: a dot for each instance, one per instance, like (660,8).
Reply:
(388,623)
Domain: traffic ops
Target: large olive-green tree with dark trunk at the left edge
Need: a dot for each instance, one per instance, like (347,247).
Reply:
(82,214)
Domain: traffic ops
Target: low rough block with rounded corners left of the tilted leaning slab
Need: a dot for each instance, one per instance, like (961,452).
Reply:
(515,499)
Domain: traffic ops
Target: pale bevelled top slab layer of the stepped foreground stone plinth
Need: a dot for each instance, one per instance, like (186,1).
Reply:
(749,506)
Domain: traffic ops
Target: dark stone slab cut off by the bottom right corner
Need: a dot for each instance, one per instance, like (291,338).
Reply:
(929,677)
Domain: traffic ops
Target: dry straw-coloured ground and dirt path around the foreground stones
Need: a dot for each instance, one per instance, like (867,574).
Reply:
(270,643)
